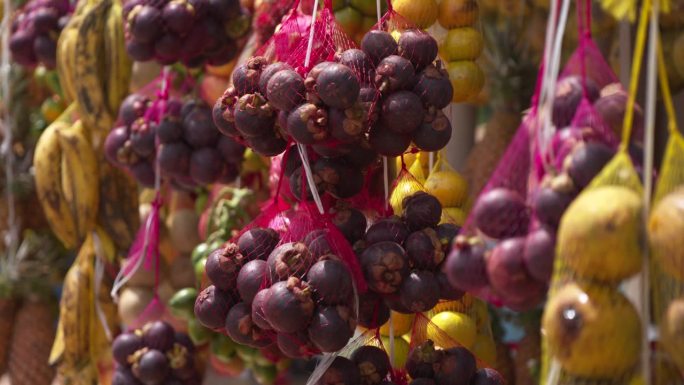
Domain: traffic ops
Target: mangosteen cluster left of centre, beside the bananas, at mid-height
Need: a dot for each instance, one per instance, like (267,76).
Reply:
(185,141)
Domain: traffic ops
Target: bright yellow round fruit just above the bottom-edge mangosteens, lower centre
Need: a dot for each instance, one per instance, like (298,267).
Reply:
(457,326)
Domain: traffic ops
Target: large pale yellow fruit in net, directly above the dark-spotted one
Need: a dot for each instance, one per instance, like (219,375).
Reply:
(601,234)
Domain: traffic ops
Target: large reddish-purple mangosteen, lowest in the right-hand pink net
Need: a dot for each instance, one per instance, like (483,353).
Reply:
(508,273)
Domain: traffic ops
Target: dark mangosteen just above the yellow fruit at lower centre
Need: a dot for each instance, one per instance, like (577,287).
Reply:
(420,291)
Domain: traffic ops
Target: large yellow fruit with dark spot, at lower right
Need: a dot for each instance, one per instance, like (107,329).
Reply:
(593,331)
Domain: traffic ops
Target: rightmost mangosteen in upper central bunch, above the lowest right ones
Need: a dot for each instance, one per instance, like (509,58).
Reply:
(434,87)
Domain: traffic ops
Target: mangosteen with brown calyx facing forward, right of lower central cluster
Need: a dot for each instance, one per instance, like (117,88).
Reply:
(385,265)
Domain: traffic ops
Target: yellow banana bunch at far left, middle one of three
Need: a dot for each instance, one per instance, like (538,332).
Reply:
(66,176)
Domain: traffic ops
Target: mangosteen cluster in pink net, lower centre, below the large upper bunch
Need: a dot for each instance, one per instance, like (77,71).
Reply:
(298,295)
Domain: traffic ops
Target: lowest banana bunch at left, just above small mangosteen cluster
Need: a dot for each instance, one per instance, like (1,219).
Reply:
(88,317)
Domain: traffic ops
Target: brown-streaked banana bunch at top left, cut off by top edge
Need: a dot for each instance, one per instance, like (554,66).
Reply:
(92,63)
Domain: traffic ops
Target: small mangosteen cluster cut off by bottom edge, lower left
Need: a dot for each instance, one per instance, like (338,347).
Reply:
(154,355)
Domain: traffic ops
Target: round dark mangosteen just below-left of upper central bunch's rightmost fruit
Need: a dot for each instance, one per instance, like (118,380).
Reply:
(402,112)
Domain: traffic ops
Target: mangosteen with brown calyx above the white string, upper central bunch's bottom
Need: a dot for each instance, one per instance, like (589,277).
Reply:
(308,124)
